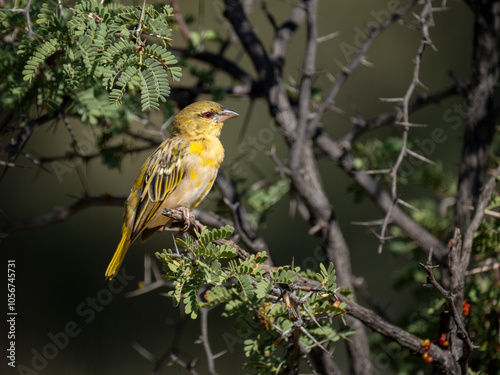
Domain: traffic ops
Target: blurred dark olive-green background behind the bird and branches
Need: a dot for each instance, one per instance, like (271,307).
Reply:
(60,266)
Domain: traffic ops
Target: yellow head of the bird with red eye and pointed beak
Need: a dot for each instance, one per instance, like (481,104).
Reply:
(201,119)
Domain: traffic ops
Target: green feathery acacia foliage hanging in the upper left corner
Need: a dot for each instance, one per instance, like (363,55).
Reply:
(89,48)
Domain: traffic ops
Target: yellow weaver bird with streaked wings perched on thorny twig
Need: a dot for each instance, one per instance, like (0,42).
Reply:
(178,175)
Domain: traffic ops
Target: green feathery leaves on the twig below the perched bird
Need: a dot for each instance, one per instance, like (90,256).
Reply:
(255,294)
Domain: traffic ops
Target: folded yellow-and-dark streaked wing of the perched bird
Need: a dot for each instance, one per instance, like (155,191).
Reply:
(160,175)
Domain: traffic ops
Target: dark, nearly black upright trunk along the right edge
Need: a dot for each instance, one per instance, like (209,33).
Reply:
(480,123)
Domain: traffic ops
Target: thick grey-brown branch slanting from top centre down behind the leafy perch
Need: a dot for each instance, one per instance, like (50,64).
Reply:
(305,179)
